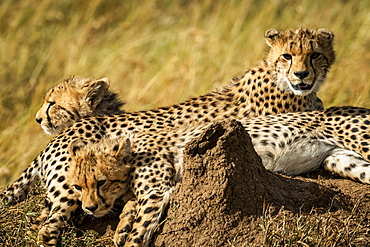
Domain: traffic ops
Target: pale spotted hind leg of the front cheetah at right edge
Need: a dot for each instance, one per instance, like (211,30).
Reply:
(347,163)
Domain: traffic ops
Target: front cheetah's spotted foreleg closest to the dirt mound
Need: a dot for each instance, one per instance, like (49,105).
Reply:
(150,210)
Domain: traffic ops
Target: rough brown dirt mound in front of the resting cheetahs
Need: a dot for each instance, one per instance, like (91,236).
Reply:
(224,183)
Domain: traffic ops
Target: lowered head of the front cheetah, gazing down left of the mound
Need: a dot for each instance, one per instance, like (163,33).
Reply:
(99,173)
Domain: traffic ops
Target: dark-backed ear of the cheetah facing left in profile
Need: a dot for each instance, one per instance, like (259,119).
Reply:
(96,91)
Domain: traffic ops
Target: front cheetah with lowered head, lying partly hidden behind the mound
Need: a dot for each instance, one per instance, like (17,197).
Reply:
(292,143)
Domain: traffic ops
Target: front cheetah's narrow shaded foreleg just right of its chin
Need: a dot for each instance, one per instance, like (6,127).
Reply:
(126,221)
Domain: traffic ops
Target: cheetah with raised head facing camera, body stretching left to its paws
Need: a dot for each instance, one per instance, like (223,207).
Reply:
(304,60)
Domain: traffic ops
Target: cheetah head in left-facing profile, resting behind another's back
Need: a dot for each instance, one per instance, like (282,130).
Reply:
(75,98)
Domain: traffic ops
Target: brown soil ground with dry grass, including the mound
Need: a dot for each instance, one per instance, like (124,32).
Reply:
(227,198)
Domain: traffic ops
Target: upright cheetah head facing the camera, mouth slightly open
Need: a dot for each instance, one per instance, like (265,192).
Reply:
(301,58)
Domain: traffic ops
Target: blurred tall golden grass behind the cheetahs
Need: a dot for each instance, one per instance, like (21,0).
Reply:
(156,53)
